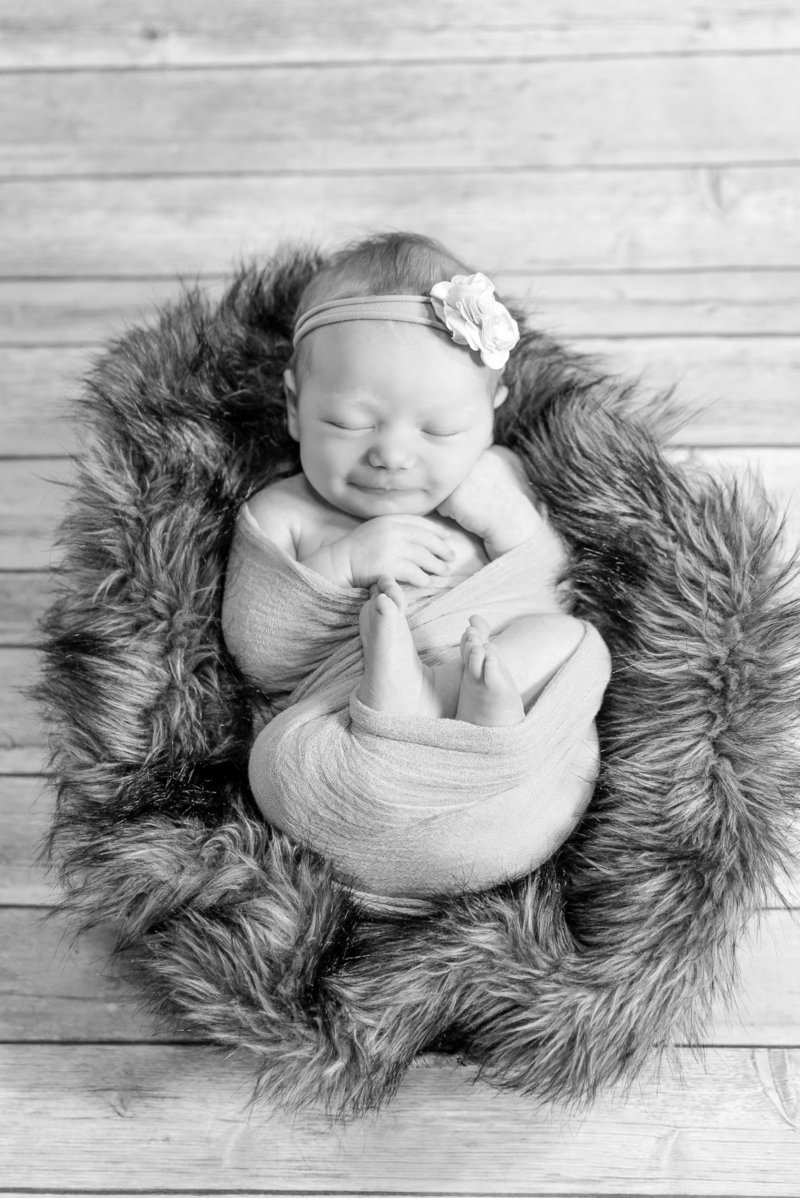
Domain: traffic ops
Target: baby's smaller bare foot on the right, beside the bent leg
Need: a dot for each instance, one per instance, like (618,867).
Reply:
(489,695)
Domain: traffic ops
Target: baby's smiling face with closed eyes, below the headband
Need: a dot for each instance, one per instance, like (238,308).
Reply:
(390,418)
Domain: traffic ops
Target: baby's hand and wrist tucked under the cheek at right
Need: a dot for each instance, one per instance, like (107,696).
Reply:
(495,503)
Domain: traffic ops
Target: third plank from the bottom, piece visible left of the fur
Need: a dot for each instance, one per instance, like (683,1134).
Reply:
(26,813)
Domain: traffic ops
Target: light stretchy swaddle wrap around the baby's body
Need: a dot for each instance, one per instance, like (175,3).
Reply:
(404,807)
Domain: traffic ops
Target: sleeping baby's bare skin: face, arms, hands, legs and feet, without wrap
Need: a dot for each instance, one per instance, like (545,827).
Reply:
(402,485)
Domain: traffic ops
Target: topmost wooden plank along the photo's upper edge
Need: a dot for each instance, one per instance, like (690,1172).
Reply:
(107,33)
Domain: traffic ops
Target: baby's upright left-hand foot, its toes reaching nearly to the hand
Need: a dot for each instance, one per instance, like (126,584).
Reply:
(395,679)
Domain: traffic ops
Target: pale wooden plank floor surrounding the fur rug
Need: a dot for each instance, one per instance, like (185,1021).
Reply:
(633,167)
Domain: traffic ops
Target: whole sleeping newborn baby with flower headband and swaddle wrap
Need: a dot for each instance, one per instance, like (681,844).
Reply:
(402,497)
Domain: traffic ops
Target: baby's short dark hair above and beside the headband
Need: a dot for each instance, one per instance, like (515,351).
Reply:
(386,264)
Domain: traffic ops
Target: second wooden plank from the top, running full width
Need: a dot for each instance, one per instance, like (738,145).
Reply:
(421,117)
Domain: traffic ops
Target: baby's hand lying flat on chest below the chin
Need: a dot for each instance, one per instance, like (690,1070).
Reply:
(409,549)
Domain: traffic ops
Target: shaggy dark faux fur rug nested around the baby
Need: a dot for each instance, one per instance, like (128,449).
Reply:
(555,987)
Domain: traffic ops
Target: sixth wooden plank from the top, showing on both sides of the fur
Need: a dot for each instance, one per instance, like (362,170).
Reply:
(33,497)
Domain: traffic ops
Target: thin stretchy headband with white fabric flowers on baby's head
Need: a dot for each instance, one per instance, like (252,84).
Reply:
(465,307)
